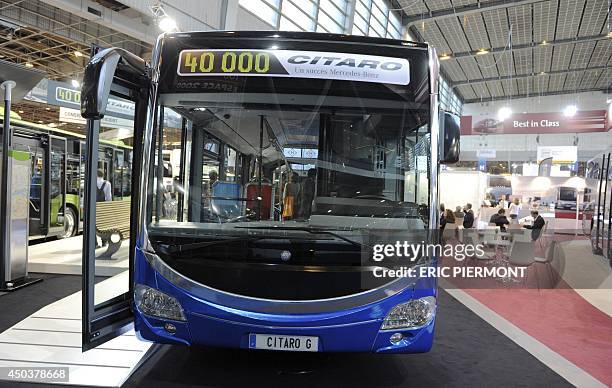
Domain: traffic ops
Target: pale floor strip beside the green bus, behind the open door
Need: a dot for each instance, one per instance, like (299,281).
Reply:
(64,257)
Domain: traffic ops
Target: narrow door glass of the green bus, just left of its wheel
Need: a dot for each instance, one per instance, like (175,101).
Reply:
(56,183)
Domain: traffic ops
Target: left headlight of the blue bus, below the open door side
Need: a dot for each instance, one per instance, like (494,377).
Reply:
(157,304)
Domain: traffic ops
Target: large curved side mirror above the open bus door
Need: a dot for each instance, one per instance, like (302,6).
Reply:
(100,72)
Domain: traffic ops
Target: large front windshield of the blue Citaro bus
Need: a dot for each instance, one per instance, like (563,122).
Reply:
(302,172)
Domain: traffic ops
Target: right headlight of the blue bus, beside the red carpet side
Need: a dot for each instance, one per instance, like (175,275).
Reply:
(411,315)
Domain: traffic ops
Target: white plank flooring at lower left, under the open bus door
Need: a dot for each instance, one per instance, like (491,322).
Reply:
(52,337)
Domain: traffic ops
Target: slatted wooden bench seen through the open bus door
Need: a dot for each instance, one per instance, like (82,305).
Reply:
(112,225)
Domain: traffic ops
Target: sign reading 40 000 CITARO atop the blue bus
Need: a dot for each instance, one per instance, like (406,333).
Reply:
(291,63)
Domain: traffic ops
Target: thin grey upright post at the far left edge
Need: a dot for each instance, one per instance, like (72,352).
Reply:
(7,138)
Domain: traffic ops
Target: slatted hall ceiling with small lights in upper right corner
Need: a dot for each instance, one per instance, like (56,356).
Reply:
(557,46)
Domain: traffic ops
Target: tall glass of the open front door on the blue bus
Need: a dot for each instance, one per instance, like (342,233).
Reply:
(107,229)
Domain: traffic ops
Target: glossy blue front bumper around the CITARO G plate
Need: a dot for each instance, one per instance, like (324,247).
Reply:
(354,330)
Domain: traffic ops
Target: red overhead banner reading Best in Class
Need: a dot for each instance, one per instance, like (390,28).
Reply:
(550,122)
